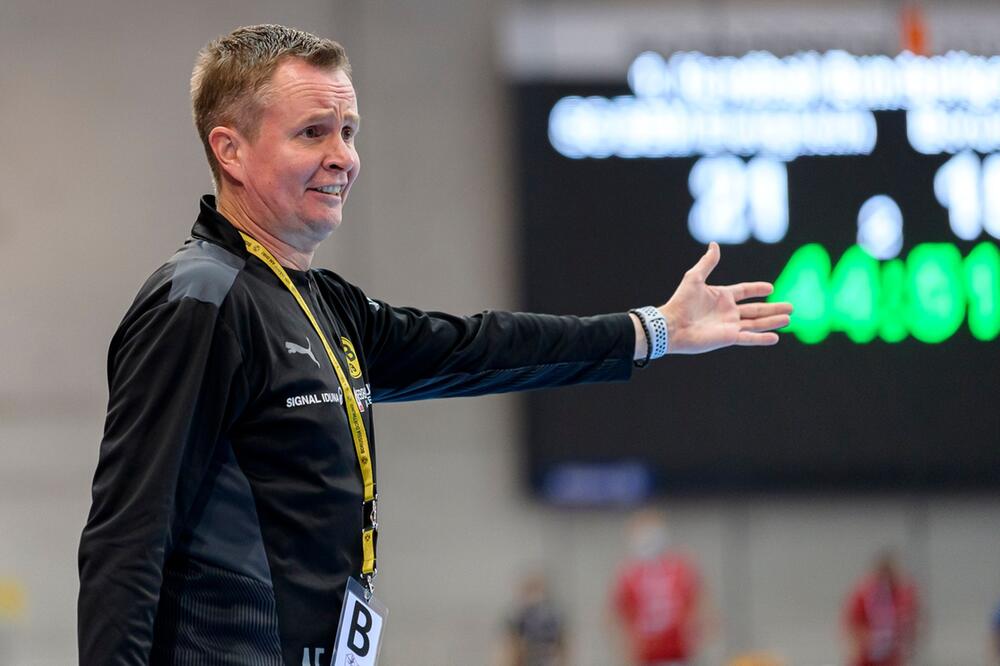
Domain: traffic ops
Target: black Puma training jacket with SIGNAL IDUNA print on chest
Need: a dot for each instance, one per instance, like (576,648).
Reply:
(227,502)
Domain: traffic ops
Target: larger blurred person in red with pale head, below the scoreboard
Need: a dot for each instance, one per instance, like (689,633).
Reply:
(657,601)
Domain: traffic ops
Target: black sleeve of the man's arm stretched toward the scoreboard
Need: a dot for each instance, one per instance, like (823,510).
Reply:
(414,355)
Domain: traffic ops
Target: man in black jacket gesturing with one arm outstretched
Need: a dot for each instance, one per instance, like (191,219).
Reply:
(235,492)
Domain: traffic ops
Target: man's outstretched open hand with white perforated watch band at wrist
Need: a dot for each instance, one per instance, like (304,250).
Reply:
(702,317)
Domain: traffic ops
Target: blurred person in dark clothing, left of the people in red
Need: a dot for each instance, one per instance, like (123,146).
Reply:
(536,629)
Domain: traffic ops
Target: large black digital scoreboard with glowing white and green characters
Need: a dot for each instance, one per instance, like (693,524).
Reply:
(867,188)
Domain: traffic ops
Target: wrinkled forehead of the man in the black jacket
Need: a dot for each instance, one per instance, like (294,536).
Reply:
(297,88)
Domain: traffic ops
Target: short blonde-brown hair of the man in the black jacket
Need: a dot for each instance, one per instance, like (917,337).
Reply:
(231,75)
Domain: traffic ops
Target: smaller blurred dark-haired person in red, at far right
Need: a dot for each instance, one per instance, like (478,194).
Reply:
(881,616)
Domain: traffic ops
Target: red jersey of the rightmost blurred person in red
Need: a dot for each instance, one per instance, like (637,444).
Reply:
(886,617)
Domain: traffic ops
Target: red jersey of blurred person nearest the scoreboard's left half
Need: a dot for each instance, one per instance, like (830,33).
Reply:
(657,599)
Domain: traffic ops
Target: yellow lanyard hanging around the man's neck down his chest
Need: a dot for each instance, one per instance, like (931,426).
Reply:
(358,432)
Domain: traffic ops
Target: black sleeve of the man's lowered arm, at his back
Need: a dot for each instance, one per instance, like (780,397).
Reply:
(175,383)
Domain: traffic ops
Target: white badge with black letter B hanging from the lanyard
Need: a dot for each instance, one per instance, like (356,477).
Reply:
(359,632)
